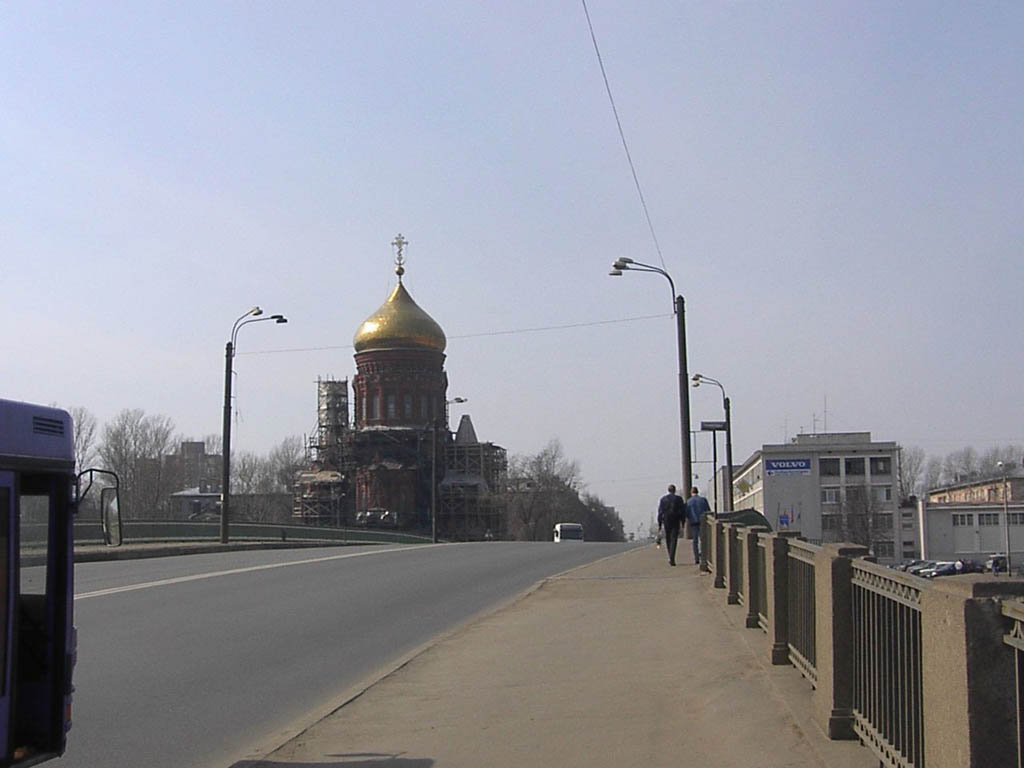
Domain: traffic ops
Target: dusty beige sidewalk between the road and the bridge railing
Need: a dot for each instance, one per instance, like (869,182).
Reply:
(623,663)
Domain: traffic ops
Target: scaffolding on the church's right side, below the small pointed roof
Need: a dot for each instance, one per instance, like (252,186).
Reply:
(473,494)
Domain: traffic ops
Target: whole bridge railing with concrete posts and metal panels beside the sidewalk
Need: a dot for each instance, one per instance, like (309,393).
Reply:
(922,672)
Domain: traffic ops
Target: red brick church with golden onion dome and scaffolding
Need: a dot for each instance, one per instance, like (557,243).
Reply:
(397,463)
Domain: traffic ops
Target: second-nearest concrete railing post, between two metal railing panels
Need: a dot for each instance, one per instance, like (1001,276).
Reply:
(834,638)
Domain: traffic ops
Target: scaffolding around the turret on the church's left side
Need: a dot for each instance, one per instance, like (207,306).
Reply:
(323,488)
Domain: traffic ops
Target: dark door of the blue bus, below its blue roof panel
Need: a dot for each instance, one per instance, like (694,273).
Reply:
(39,641)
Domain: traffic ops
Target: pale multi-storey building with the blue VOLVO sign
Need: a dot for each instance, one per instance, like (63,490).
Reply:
(831,487)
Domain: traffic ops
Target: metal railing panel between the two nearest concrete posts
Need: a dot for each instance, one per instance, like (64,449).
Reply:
(887,664)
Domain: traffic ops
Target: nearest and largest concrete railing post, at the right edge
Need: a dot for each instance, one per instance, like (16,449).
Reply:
(968,677)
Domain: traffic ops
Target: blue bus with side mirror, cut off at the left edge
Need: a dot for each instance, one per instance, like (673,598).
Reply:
(39,492)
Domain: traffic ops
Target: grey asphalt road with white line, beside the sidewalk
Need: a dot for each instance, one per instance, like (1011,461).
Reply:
(198,661)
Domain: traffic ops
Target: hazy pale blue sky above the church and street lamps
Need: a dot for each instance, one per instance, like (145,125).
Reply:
(836,190)
